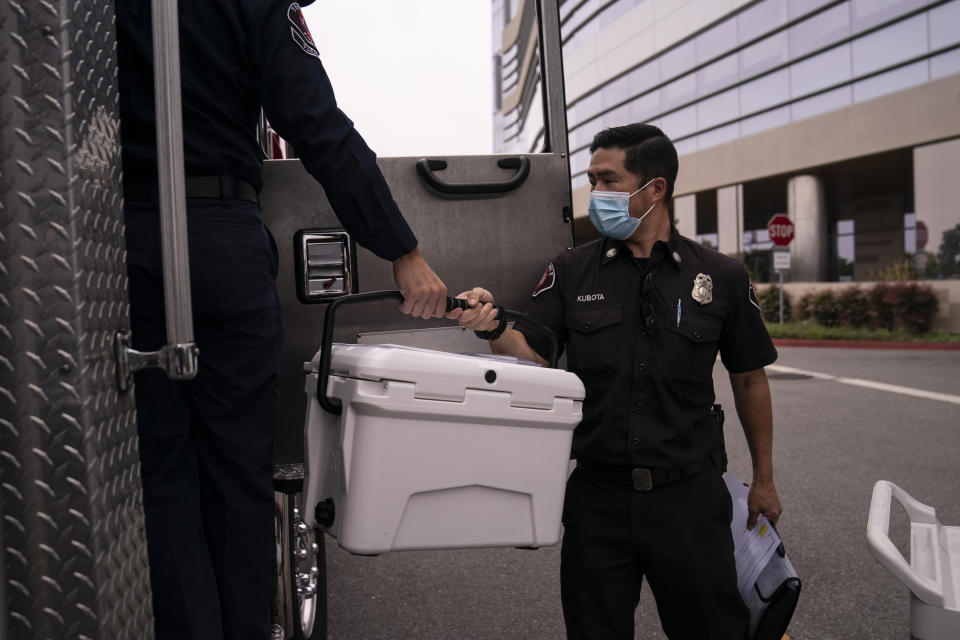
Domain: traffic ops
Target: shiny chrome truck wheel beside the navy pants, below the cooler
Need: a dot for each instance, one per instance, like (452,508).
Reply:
(300,601)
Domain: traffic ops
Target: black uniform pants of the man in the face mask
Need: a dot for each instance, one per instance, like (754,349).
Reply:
(677,536)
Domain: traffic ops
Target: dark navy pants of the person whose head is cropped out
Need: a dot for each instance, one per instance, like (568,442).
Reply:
(206,445)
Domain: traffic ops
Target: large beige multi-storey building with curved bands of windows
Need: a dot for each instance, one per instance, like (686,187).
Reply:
(843,114)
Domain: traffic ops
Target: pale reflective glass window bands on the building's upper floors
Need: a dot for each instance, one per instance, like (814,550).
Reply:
(766,65)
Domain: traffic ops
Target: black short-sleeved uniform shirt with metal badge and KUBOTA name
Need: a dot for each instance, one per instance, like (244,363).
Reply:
(649,390)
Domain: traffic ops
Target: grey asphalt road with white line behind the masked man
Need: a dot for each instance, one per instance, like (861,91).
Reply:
(833,441)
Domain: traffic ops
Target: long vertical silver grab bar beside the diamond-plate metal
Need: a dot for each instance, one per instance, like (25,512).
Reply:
(179,357)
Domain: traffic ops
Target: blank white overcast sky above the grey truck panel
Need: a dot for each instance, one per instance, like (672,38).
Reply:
(415,76)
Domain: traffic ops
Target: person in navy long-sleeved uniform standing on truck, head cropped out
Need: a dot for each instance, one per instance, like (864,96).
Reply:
(206,445)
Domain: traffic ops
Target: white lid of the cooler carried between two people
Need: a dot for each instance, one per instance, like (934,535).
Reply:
(446,376)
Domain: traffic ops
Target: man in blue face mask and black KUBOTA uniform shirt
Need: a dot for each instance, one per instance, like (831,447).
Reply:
(642,314)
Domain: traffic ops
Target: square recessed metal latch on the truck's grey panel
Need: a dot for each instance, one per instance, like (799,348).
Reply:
(325,265)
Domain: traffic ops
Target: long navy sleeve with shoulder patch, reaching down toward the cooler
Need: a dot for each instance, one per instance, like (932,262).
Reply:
(298,100)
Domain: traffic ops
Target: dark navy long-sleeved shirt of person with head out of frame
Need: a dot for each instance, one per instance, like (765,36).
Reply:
(236,56)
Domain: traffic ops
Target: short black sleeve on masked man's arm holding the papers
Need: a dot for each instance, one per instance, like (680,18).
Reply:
(745,344)
